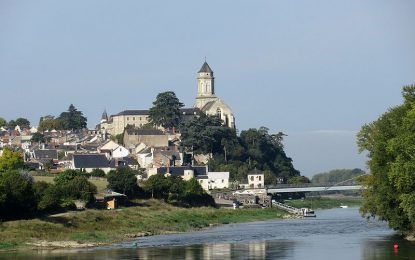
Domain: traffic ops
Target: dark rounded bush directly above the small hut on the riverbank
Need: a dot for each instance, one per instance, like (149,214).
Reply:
(123,180)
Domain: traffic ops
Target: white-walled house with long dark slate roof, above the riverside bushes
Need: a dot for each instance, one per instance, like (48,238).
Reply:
(89,162)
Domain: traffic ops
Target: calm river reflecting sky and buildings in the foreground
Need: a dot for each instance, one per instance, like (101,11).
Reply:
(334,234)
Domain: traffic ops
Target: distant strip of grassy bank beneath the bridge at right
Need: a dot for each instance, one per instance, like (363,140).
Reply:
(325,202)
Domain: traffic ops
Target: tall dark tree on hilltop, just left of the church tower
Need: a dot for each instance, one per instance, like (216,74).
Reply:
(166,111)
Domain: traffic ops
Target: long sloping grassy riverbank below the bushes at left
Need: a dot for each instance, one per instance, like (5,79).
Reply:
(103,227)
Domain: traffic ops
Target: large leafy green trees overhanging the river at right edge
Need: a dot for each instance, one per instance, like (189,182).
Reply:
(390,143)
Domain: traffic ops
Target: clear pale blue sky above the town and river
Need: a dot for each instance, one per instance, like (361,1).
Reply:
(315,70)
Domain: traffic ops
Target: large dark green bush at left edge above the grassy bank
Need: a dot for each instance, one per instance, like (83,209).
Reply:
(17,198)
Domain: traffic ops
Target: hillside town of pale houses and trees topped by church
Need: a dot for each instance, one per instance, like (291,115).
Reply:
(169,140)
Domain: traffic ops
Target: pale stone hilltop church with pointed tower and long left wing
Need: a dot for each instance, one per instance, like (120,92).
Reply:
(206,101)
